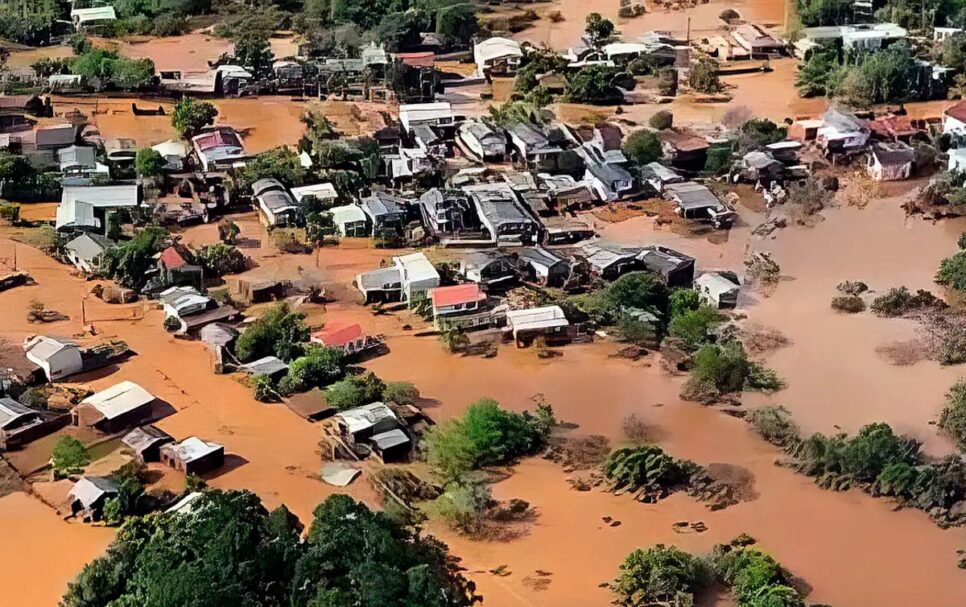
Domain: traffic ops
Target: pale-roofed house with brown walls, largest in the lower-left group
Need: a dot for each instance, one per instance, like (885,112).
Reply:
(121,406)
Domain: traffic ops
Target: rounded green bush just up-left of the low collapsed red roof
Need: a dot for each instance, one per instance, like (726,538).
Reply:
(278,332)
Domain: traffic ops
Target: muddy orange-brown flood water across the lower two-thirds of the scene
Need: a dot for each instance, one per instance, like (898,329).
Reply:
(835,541)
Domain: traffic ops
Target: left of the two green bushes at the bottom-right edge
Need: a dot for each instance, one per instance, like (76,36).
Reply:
(659,575)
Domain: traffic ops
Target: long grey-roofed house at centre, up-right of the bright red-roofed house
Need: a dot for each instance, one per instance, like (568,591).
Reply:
(502,215)
